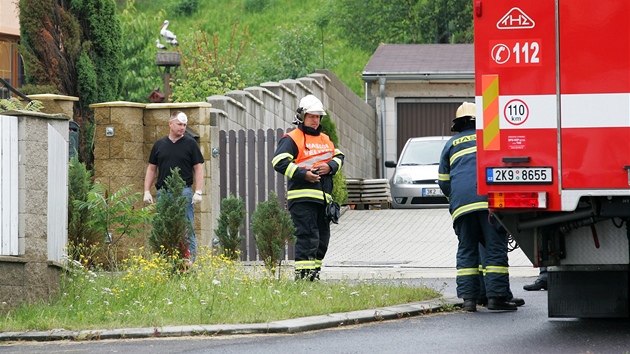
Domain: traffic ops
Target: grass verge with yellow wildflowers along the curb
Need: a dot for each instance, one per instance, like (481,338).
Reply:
(149,291)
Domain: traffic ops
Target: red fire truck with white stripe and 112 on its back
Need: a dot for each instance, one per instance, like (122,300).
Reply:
(552,87)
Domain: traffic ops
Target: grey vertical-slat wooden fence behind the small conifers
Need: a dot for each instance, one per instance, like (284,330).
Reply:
(246,172)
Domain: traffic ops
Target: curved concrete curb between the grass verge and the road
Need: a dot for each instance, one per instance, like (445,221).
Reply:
(284,326)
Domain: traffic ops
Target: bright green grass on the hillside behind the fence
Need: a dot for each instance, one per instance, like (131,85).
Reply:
(265,26)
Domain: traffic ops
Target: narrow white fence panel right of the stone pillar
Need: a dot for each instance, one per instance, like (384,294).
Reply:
(57,195)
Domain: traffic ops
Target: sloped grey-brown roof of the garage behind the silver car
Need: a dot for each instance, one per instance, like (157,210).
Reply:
(421,62)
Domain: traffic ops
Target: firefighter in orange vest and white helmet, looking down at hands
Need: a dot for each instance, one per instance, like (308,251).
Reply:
(309,159)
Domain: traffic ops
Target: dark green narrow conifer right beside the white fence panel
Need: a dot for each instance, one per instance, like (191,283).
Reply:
(84,242)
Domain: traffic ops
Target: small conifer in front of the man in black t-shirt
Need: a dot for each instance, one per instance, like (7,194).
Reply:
(170,226)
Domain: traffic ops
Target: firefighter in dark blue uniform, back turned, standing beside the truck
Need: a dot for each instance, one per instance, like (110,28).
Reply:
(471,219)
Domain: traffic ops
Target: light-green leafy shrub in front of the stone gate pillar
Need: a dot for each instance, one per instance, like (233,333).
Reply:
(113,217)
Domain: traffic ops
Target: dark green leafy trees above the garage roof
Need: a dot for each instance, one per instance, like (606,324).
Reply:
(366,24)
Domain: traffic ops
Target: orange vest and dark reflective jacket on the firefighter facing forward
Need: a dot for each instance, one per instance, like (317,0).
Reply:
(299,151)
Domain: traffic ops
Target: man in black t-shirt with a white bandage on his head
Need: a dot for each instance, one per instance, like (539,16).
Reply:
(177,150)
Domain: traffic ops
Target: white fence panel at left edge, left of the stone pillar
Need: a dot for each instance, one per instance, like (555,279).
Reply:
(8,186)
